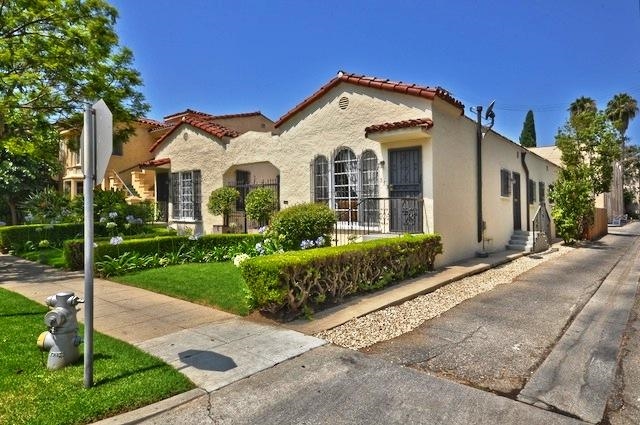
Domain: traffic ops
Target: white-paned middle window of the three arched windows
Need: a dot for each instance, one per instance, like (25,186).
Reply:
(345,184)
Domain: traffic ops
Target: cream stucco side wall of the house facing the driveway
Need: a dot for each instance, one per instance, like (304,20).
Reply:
(455,182)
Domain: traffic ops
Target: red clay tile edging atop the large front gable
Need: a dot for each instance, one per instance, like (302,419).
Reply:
(362,80)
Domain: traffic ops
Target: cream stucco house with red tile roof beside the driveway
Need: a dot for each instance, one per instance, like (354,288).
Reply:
(388,157)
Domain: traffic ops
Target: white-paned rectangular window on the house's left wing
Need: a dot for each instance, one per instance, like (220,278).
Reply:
(185,195)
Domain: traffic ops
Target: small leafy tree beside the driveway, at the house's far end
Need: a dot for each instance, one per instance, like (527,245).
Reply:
(589,147)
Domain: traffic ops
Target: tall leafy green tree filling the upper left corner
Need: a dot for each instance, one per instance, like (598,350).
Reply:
(54,56)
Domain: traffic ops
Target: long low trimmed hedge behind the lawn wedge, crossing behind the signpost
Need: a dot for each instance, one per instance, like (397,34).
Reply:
(74,249)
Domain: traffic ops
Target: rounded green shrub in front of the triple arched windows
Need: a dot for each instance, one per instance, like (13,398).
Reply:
(303,222)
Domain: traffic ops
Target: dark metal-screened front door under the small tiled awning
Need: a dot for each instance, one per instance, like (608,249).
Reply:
(405,190)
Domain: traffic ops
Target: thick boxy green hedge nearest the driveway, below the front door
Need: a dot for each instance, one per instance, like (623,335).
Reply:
(294,282)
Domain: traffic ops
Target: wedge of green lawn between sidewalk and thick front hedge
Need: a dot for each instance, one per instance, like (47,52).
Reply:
(218,285)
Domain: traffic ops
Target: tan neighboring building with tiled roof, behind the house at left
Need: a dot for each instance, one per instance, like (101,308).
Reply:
(128,167)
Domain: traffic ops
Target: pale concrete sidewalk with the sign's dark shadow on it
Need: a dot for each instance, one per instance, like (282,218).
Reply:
(212,348)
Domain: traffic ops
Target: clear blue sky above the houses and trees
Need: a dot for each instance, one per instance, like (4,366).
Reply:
(236,56)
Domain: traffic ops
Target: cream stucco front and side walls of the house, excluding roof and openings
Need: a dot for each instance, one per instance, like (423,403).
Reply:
(448,161)
